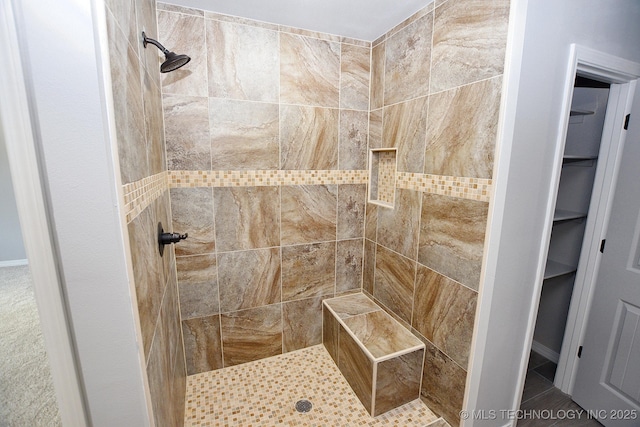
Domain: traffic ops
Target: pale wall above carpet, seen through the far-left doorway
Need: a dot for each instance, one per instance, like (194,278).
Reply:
(11,245)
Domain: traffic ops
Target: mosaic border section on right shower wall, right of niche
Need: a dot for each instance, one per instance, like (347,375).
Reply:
(466,188)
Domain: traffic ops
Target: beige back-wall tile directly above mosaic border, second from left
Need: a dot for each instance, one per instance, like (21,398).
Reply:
(244,135)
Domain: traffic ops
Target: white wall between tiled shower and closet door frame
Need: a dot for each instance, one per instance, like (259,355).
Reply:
(541,31)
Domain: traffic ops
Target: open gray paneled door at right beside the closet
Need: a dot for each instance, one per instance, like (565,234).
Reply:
(608,377)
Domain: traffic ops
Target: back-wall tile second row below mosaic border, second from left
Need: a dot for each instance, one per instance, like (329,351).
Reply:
(249,279)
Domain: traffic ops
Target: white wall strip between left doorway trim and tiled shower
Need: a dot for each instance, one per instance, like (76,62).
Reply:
(59,46)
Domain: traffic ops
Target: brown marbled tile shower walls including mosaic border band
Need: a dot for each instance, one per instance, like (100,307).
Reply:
(258,148)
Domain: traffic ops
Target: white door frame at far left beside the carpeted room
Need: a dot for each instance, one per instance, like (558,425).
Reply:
(30,194)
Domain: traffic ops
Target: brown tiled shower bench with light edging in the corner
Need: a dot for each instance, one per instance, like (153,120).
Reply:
(381,360)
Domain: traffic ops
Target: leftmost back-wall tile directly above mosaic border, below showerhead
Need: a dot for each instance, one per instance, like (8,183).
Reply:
(186,121)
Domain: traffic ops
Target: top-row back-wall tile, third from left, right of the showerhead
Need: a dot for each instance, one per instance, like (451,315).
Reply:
(309,71)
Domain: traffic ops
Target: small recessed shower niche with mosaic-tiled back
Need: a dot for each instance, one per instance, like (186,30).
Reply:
(382,176)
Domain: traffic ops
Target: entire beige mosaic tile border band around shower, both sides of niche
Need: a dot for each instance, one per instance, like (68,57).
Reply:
(140,194)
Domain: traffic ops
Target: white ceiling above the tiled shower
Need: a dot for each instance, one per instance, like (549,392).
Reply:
(358,19)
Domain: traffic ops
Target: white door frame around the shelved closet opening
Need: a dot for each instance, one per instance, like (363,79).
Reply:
(622,74)
